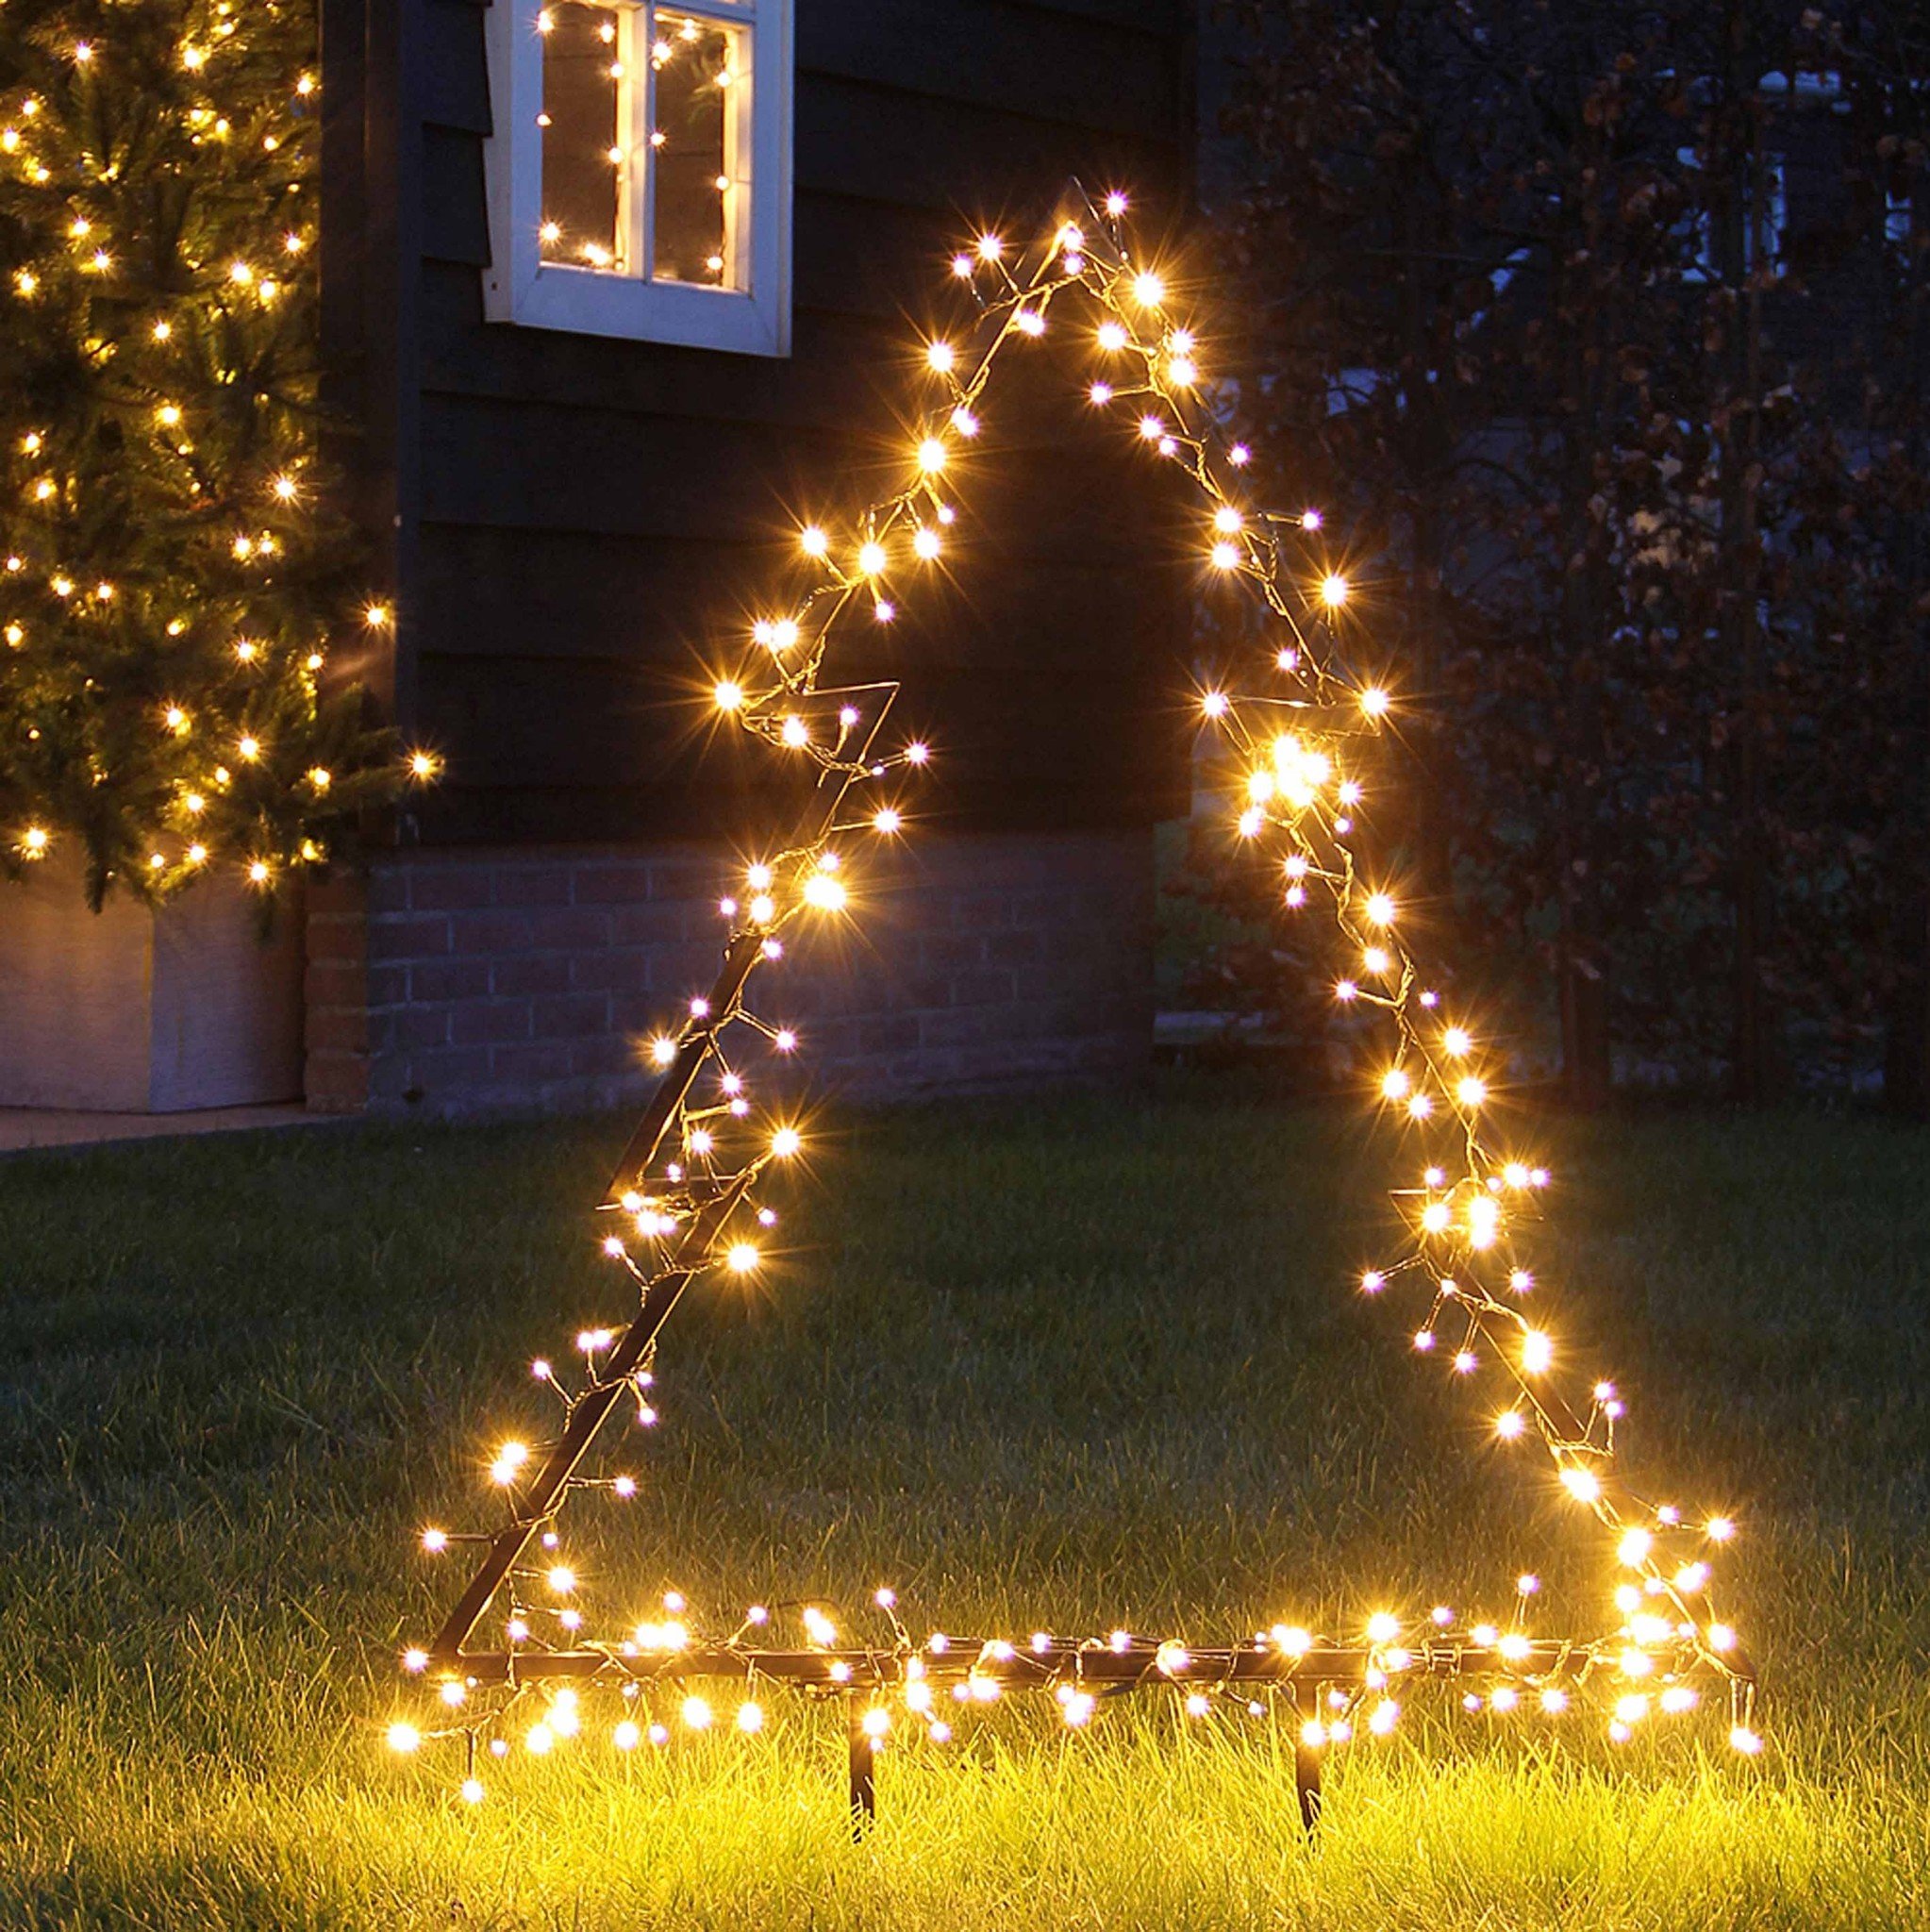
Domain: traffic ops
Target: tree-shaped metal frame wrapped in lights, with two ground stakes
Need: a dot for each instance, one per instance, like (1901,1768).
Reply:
(691,1203)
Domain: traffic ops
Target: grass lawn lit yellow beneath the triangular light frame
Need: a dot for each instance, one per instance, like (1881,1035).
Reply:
(1075,1363)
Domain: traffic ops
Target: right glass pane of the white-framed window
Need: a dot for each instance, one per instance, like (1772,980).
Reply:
(700,150)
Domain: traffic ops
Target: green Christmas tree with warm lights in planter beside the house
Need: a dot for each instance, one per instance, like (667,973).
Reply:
(173,569)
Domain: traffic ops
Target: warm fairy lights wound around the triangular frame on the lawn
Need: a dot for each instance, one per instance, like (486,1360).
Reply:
(687,1199)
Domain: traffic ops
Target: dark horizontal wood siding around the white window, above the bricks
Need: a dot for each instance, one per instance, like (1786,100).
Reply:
(588,519)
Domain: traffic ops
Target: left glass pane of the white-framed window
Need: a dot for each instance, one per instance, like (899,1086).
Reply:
(581,183)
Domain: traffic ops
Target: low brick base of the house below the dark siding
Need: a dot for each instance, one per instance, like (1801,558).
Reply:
(515,980)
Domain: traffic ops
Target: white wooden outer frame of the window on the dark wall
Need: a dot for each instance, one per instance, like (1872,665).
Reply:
(519,287)
